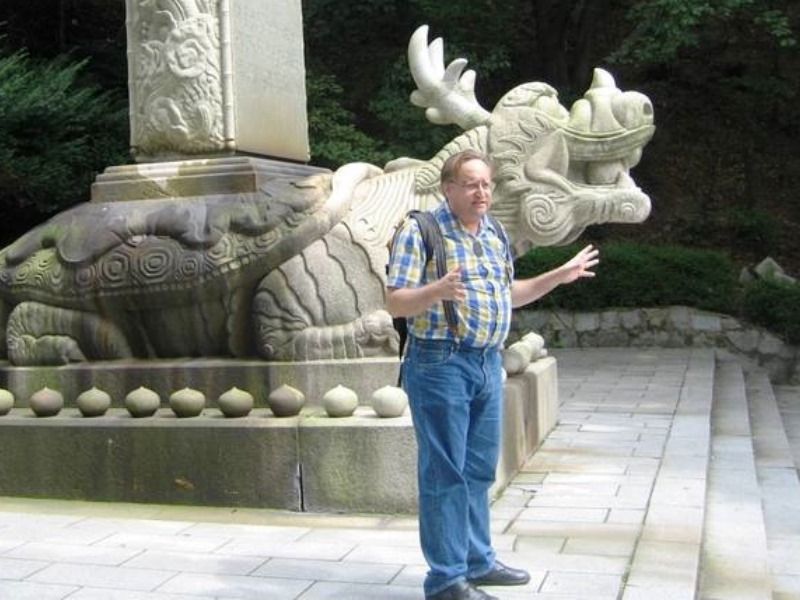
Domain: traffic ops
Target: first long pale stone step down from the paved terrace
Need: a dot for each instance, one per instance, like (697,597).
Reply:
(734,560)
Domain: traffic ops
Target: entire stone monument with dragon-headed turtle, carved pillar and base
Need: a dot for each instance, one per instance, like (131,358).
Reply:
(220,263)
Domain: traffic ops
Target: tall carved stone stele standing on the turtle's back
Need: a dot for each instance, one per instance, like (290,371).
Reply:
(197,89)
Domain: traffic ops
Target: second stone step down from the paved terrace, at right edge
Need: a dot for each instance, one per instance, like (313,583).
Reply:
(780,487)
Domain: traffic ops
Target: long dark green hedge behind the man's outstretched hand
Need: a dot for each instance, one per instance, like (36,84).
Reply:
(632,275)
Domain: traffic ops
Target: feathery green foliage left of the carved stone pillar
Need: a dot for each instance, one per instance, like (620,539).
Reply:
(55,134)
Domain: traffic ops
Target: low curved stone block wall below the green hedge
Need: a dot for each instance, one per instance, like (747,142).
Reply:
(671,327)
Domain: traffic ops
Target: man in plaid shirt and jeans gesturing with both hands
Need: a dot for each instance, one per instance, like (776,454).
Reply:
(454,379)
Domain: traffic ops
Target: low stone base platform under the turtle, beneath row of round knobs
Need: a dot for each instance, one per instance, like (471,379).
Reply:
(310,462)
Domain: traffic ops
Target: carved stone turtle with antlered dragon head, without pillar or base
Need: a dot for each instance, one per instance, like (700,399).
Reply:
(295,271)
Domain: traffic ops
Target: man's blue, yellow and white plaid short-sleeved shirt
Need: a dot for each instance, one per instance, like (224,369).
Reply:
(486,270)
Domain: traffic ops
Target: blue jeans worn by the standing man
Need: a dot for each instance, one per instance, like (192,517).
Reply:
(455,395)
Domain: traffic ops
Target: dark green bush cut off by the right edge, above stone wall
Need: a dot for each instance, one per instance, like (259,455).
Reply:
(774,305)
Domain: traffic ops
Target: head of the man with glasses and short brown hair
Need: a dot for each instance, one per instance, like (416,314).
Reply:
(470,193)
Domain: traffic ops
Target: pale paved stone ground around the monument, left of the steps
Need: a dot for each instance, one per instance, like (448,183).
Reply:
(611,507)
